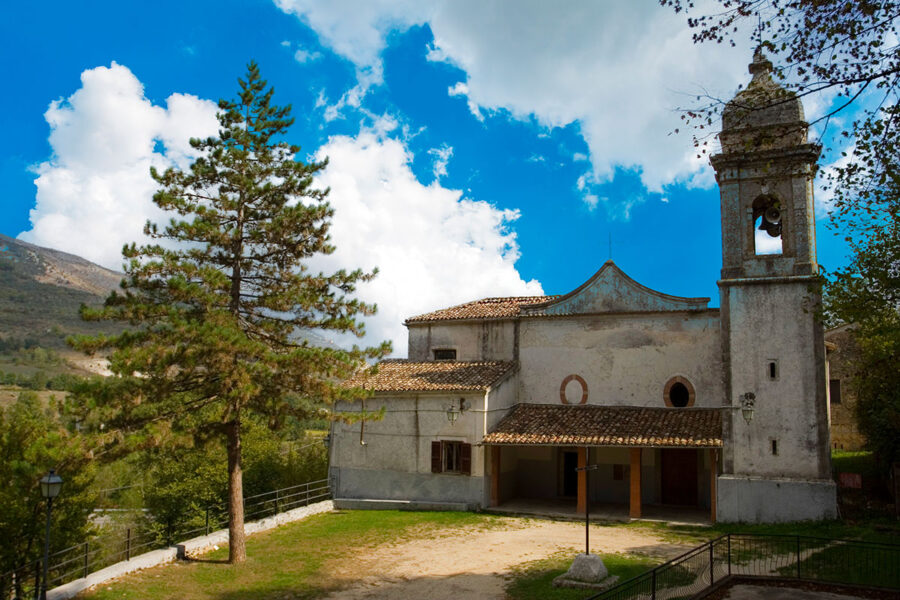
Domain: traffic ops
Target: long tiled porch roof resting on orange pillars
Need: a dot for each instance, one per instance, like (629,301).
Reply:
(591,425)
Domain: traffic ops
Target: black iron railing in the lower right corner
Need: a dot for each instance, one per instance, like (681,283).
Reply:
(804,558)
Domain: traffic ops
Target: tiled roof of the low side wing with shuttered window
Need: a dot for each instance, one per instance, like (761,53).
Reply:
(408,376)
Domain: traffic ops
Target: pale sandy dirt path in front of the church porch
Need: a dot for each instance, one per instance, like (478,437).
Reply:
(474,563)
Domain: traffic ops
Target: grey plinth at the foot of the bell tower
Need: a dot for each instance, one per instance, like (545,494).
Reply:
(773,500)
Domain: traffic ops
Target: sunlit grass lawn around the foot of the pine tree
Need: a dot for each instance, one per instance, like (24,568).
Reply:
(289,562)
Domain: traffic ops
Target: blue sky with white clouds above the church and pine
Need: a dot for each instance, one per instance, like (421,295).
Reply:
(477,148)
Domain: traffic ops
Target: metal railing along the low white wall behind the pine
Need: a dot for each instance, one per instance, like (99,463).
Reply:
(102,551)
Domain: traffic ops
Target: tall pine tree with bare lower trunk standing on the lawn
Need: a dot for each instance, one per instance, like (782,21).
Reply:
(216,311)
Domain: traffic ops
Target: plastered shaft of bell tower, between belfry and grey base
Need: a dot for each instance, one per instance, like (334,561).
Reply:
(765,323)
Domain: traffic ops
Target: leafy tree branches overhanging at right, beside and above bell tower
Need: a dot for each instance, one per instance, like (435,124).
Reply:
(849,48)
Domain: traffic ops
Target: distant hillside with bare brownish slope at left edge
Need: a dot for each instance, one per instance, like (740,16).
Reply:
(41,291)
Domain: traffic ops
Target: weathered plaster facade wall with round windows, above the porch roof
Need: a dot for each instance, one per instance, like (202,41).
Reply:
(625,359)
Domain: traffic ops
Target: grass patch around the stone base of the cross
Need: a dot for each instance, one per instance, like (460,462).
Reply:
(534,580)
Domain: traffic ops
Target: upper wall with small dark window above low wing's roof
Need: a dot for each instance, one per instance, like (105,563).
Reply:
(472,340)
